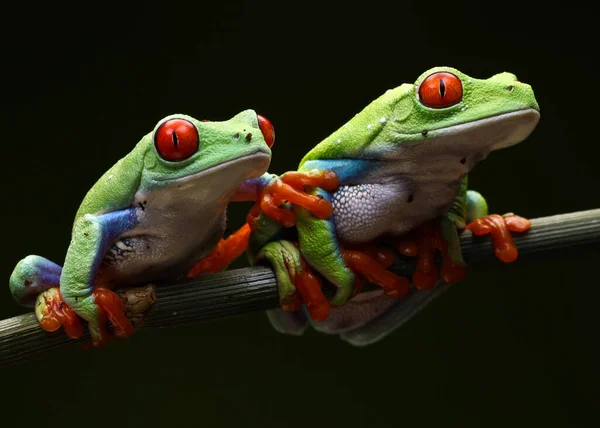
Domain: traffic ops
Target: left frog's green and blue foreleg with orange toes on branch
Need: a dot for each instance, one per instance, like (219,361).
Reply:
(91,238)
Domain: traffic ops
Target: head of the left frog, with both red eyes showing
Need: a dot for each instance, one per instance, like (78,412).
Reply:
(184,149)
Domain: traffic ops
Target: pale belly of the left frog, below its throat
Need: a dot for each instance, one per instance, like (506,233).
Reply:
(175,230)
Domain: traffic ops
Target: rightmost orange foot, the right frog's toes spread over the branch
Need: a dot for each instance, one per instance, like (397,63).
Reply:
(500,227)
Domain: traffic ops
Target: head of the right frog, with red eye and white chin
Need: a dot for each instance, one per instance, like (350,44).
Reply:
(497,112)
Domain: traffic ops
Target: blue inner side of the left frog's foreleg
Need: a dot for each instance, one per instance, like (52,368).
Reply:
(112,225)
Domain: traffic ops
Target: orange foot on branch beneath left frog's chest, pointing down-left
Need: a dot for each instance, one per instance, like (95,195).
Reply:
(224,253)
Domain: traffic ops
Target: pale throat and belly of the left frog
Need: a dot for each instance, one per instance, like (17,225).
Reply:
(177,225)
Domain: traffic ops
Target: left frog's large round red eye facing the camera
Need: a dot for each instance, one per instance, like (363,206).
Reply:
(176,140)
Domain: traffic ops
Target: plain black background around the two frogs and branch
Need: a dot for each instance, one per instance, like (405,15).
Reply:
(510,346)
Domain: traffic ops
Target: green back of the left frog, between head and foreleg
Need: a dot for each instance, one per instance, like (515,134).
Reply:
(116,188)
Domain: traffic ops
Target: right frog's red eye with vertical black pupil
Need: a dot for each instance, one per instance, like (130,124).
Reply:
(440,90)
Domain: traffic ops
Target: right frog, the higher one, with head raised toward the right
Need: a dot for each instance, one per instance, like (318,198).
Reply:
(395,174)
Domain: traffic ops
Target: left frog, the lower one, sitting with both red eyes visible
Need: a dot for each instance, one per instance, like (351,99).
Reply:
(151,217)
